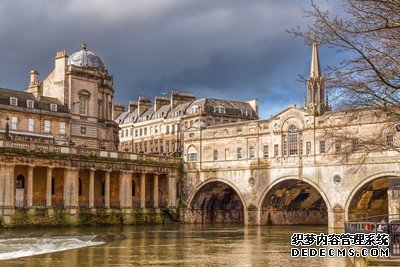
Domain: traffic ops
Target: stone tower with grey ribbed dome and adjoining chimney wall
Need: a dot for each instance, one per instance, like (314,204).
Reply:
(82,82)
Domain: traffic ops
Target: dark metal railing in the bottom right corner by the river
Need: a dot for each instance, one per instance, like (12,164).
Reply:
(392,229)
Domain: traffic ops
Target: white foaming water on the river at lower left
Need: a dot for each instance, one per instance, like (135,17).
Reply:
(22,247)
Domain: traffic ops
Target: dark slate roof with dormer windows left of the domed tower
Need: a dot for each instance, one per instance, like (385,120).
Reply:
(23,96)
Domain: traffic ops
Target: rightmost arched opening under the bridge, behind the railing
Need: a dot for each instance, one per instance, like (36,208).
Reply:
(370,201)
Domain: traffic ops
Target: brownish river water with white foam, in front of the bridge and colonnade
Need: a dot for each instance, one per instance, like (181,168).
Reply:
(188,245)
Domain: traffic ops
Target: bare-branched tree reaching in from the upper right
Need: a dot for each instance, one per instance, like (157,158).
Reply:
(367,82)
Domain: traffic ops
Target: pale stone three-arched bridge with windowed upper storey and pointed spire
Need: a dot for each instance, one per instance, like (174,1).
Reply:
(293,168)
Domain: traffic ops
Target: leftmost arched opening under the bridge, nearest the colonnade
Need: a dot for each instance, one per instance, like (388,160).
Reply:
(216,202)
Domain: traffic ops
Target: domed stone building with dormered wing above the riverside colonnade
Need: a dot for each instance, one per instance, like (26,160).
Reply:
(73,104)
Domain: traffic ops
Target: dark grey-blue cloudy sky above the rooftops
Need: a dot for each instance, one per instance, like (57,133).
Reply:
(230,49)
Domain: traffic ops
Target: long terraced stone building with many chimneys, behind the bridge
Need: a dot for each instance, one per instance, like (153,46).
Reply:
(159,129)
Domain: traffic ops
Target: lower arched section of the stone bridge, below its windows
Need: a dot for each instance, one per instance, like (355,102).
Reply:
(285,191)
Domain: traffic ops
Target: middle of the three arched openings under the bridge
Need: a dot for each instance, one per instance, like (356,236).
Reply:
(293,202)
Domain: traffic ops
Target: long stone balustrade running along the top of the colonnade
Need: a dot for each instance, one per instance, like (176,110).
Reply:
(83,151)
